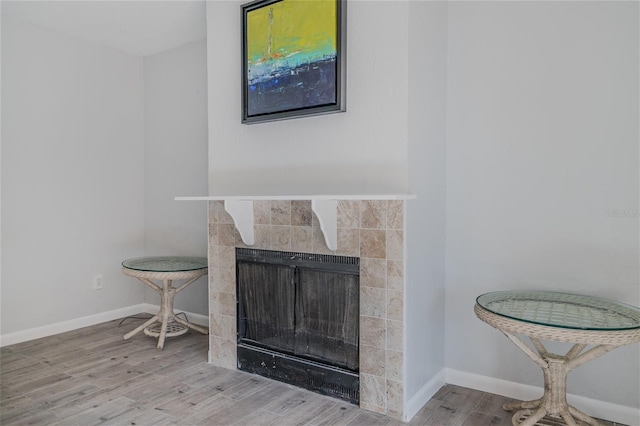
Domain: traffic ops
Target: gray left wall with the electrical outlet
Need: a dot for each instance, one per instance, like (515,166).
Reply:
(72,176)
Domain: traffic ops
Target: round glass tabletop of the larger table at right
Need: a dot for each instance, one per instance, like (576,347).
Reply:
(562,310)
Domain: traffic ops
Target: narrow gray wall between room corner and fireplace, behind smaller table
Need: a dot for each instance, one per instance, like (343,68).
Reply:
(175,122)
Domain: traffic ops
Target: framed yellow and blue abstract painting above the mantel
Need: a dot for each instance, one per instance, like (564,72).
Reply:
(293,59)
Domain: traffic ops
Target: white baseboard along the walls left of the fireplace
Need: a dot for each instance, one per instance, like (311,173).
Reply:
(74,324)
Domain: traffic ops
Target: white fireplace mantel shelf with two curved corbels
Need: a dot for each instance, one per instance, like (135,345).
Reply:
(240,208)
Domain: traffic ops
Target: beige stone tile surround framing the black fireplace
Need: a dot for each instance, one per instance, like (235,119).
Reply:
(371,230)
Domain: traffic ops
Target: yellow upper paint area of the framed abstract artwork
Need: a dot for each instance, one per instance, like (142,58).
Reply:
(306,28)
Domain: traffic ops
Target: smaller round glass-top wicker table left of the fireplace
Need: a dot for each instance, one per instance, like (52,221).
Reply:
(167,269)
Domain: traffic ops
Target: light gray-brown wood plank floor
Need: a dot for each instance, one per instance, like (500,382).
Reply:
(92,376)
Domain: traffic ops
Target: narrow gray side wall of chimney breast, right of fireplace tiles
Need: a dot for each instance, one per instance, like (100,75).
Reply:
(425,238)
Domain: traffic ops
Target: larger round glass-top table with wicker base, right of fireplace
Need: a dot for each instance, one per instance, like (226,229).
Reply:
(563,317)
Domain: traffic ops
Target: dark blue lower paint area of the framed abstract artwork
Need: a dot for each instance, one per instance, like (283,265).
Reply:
(289,88)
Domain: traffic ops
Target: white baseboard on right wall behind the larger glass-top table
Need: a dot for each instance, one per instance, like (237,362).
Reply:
(595,408)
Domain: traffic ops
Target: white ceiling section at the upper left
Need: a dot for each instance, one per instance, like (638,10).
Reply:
(138,27)
